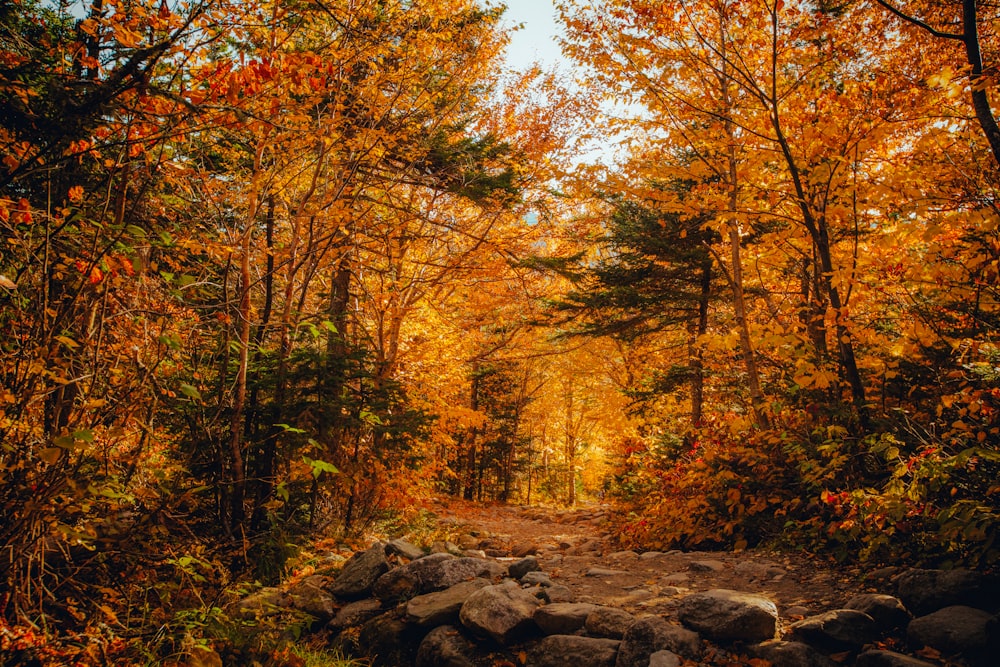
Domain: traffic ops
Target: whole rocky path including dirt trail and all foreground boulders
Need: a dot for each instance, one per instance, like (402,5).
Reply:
(506,586)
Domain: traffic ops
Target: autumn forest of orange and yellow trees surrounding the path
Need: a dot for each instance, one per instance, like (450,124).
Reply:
(279,272)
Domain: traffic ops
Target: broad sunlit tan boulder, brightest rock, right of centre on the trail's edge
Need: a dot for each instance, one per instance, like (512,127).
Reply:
(729,615)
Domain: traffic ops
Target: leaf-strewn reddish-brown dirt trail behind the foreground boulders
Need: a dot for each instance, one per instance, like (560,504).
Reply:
(575,548)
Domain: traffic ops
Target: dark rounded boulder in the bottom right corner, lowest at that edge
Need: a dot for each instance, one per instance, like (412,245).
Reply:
(957,630)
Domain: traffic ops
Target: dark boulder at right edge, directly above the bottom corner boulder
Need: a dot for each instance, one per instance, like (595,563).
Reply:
(924,591)
